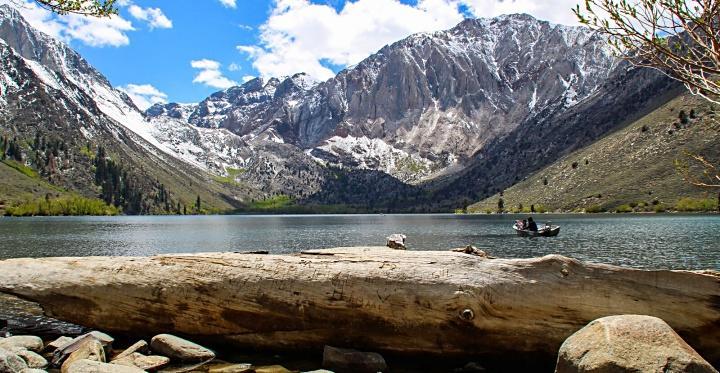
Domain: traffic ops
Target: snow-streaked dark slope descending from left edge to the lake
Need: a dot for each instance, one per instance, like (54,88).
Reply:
(63,114)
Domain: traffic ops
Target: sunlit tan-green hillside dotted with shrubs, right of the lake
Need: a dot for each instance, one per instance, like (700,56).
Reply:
(632,166)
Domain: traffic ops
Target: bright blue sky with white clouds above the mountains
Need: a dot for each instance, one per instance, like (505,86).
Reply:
(184,50)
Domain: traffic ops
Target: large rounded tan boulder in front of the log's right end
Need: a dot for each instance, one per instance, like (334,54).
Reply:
(628,343)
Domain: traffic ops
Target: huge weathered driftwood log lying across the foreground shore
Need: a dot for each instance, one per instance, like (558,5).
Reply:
(367,298)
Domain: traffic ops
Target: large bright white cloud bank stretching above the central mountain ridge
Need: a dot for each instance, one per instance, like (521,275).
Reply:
(299,35)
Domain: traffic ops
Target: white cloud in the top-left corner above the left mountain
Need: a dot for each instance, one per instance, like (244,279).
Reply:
(96,32)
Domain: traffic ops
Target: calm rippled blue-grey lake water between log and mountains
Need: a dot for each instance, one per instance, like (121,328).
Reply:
(646,241)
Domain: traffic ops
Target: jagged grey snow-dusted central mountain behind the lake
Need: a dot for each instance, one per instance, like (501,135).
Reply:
(417,108)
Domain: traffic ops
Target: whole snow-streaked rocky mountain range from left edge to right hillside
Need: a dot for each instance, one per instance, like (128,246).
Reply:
(425,124)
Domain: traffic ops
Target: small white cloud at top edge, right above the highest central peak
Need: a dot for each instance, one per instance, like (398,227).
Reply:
(556,11)
